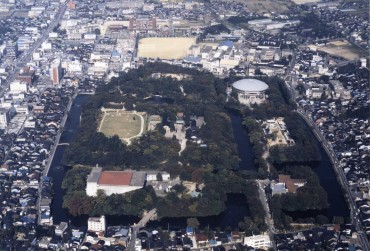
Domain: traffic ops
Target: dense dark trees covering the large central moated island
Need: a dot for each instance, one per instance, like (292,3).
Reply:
(215,165)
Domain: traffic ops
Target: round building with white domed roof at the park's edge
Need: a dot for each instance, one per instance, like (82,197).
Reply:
(250,91)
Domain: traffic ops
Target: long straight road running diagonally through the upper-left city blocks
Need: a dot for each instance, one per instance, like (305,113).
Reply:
(25,58)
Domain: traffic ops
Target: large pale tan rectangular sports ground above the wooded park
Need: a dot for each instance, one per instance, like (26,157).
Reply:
(165,47)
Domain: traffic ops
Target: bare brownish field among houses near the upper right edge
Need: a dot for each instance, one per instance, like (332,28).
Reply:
(341,48)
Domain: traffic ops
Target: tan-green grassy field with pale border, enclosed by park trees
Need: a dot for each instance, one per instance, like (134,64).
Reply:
(125,125)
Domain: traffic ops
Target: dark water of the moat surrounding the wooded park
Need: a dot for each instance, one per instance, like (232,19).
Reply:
(236,209)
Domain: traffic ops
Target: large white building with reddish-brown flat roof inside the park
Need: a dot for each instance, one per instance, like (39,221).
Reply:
(114,182)
